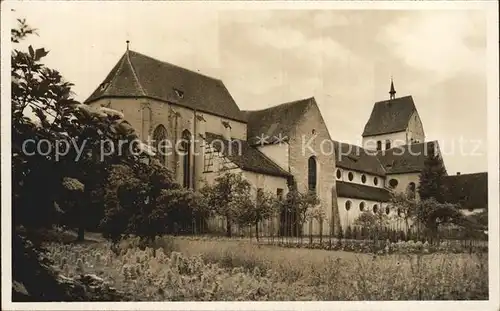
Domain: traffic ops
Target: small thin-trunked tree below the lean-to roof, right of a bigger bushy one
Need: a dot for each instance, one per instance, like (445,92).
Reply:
(258,210)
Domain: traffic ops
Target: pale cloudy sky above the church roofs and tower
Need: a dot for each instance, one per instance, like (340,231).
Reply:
(342,58)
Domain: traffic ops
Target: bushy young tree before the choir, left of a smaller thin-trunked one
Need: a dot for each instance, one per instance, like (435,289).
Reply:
(228,196)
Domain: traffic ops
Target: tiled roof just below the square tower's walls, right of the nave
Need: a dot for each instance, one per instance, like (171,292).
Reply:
(406,158)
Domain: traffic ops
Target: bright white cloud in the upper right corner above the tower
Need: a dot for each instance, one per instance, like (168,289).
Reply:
(439,42)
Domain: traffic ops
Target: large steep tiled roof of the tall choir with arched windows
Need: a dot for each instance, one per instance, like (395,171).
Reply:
(138,75)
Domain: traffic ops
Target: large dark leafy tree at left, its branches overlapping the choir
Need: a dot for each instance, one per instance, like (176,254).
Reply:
(79,141)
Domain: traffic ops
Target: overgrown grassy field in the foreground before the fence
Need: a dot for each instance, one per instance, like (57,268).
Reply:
(183,269)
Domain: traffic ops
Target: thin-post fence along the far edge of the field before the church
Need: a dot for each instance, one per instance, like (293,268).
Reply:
(288,229)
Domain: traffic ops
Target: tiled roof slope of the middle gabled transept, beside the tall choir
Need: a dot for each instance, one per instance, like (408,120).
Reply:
(276,120)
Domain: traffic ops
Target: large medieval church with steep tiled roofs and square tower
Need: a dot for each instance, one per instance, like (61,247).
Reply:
(198,115)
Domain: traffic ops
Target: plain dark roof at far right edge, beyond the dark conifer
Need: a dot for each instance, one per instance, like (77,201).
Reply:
(468,190)
